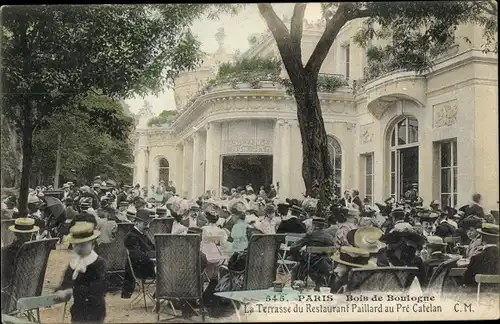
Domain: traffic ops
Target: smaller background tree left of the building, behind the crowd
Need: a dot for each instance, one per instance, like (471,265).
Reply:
(86,147)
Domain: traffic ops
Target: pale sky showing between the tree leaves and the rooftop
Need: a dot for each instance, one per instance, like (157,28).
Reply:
(237,29)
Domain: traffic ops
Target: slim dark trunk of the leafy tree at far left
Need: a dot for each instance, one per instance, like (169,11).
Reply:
(26,169)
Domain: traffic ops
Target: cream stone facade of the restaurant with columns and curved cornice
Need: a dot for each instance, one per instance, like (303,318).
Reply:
(456,103)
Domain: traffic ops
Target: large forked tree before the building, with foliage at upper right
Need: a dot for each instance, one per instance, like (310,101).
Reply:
(419,30)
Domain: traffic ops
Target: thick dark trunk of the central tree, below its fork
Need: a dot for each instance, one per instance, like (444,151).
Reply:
(316,164)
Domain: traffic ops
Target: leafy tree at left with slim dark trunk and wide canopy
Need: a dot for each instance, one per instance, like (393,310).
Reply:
(55,56)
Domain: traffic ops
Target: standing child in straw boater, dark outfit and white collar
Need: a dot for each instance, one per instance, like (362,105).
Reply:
(84,279)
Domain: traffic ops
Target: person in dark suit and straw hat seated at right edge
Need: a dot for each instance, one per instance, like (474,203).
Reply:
(485,260)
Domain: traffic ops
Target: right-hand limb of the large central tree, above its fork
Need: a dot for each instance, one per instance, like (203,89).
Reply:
(344,13)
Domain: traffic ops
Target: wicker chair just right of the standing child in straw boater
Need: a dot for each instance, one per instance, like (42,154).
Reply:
(115,253)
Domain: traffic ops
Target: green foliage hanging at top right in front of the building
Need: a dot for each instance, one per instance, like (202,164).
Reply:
(419,32)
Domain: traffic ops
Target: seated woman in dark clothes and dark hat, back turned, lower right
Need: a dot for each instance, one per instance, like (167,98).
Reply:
(401,251)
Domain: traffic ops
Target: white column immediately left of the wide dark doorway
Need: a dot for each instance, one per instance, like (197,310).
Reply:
(212,160)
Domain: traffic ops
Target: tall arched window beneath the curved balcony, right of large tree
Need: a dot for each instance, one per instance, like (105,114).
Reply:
(404,156)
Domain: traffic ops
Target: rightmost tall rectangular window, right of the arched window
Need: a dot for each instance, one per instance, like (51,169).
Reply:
(448,152)
